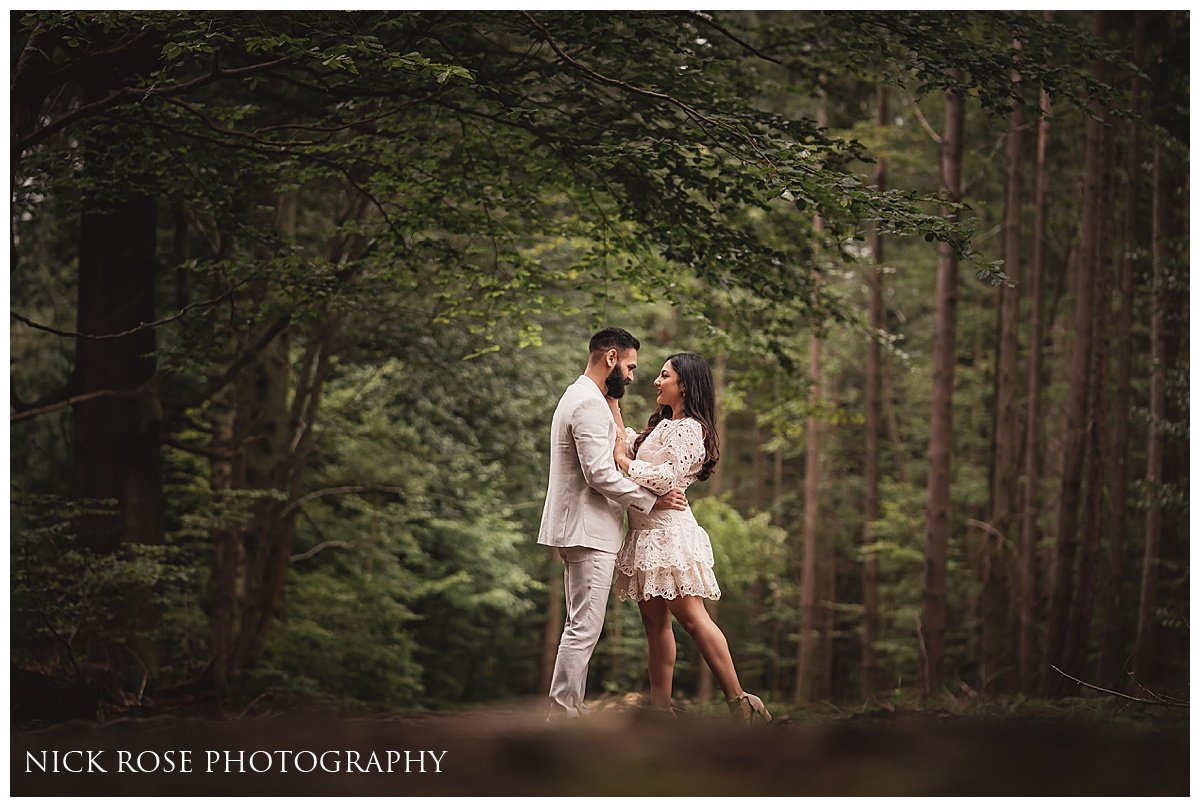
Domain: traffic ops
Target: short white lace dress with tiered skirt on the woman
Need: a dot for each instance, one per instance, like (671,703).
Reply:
(667,554)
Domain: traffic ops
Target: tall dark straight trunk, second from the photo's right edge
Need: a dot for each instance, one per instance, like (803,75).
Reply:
(1119,471)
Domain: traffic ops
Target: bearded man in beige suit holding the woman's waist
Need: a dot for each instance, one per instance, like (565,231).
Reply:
(586,505)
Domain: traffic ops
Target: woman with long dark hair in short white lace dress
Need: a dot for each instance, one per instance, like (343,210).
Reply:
(667,563)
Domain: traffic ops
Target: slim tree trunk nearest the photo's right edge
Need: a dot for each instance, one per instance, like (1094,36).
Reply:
(1145,637)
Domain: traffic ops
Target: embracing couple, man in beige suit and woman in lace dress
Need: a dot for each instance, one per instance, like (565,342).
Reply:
(598,470)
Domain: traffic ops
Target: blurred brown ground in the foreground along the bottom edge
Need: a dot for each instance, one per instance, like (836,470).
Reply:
(626,751)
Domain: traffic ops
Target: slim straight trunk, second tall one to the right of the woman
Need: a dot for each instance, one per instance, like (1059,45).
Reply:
(874,413)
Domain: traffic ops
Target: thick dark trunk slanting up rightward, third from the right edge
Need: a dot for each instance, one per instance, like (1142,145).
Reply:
(1075,433)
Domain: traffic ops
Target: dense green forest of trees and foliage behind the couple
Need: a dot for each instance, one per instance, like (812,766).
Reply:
(293,297)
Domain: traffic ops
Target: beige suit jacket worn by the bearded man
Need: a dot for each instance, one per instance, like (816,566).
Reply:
(587,495)
